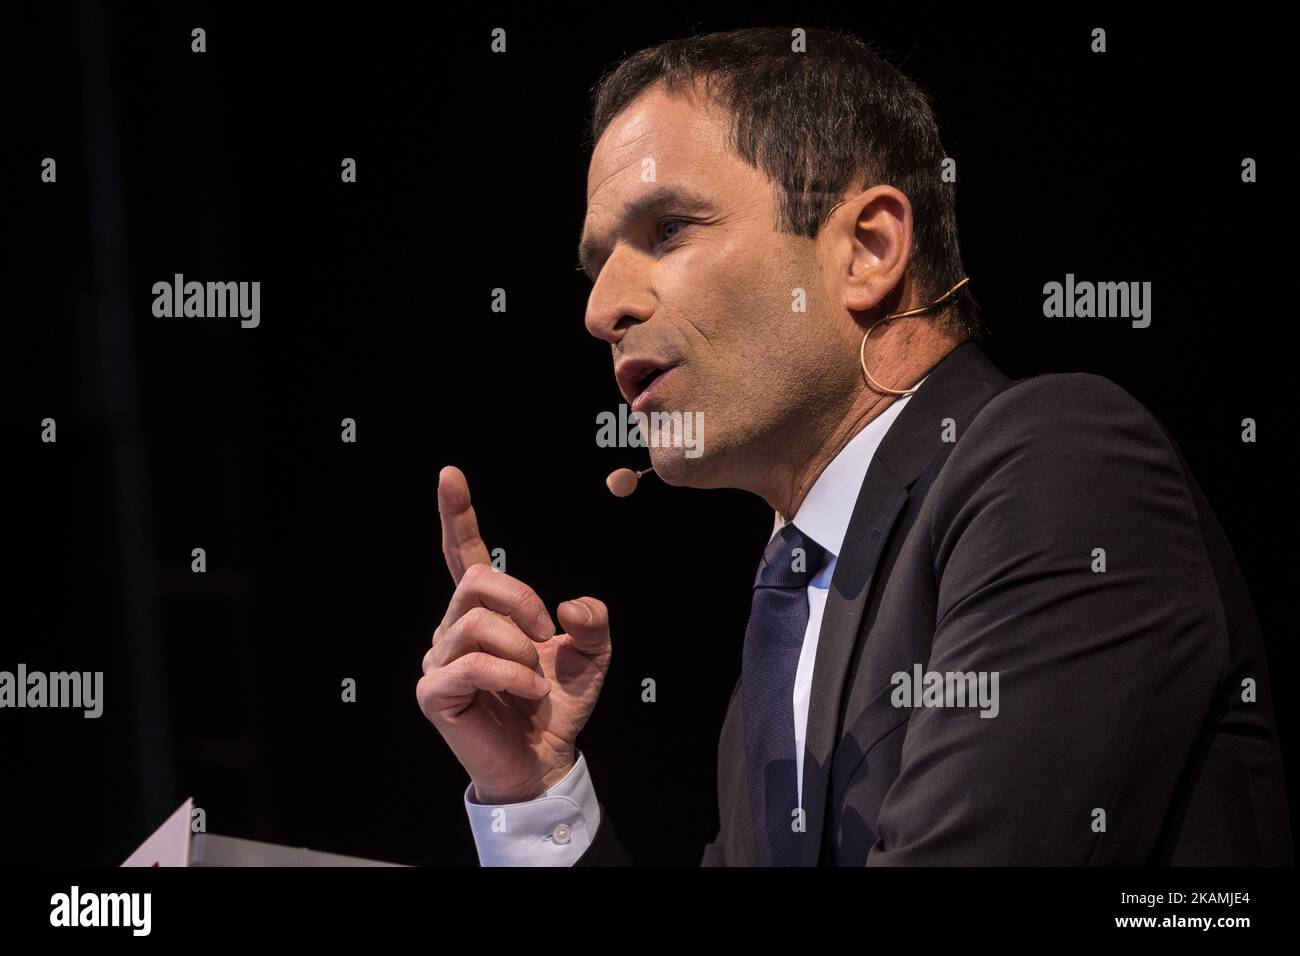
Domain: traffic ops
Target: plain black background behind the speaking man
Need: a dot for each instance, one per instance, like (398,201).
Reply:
(324,560)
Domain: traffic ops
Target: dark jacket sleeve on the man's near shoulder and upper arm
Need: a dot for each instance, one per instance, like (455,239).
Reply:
(1072,578)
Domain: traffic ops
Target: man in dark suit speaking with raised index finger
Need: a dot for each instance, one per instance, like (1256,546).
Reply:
(996,622)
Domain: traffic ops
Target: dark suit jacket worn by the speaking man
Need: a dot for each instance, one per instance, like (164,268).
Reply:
(1125,732)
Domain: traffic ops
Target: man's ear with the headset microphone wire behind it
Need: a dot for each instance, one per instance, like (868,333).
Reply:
(869,246)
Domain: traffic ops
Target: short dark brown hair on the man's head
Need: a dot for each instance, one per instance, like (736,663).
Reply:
(817,124)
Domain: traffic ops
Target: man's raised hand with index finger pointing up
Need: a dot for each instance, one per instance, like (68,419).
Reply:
(506,691)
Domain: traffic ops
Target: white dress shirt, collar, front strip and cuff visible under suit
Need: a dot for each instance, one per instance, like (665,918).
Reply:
(557,828)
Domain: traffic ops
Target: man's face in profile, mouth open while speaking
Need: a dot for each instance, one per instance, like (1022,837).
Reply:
(691,272)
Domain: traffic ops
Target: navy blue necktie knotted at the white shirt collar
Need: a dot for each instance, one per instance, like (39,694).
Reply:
(774,639)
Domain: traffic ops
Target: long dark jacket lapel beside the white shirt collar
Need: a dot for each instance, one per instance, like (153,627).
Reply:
(957,387)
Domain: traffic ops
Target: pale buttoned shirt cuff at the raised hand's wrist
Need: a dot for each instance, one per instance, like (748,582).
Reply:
(552,830)
